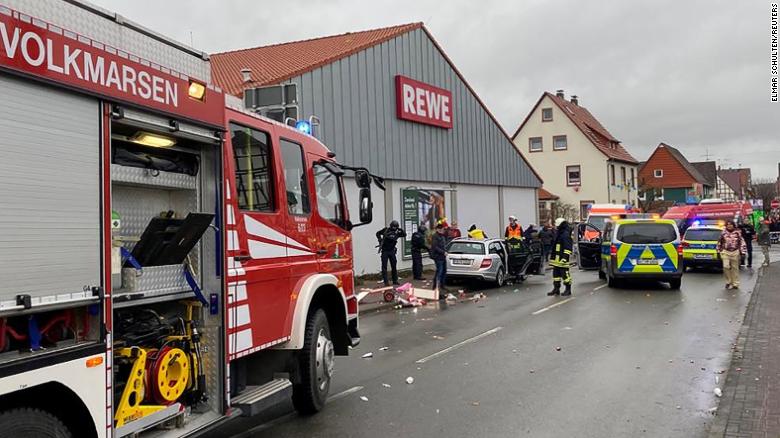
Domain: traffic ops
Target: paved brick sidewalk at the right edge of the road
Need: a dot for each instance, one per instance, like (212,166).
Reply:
(750,406)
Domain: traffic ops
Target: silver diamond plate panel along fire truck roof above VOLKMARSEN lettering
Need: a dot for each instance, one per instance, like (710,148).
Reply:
(113,29)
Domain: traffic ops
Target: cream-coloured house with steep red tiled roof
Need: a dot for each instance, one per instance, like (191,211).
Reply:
(578,158)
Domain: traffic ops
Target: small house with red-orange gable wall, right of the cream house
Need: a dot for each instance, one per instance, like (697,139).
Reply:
(667,175)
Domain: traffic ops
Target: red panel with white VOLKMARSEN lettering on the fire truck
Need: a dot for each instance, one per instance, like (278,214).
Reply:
(37,48)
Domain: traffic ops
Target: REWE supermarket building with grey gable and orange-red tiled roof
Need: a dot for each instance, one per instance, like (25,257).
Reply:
(391,100)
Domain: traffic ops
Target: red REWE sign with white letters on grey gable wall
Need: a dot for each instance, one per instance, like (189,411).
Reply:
(423,103)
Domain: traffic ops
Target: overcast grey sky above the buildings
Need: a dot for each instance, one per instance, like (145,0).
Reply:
(693,74)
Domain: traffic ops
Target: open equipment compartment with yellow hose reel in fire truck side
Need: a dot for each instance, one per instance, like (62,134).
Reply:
(165,228)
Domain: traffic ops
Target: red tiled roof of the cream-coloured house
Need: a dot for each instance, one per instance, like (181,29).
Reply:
(593,130)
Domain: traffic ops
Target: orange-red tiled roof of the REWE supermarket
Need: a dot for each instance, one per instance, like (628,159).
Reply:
(279,62)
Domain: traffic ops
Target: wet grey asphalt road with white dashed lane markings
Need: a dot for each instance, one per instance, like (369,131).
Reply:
(640,361)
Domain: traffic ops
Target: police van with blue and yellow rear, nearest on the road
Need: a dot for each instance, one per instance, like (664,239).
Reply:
(643,249)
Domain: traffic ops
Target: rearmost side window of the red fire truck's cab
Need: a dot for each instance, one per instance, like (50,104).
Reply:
(254,177)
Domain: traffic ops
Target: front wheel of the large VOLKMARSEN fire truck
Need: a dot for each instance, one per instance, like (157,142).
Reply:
(316,362)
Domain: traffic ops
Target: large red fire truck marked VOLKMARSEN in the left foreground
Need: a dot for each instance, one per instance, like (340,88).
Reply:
(167,261)
